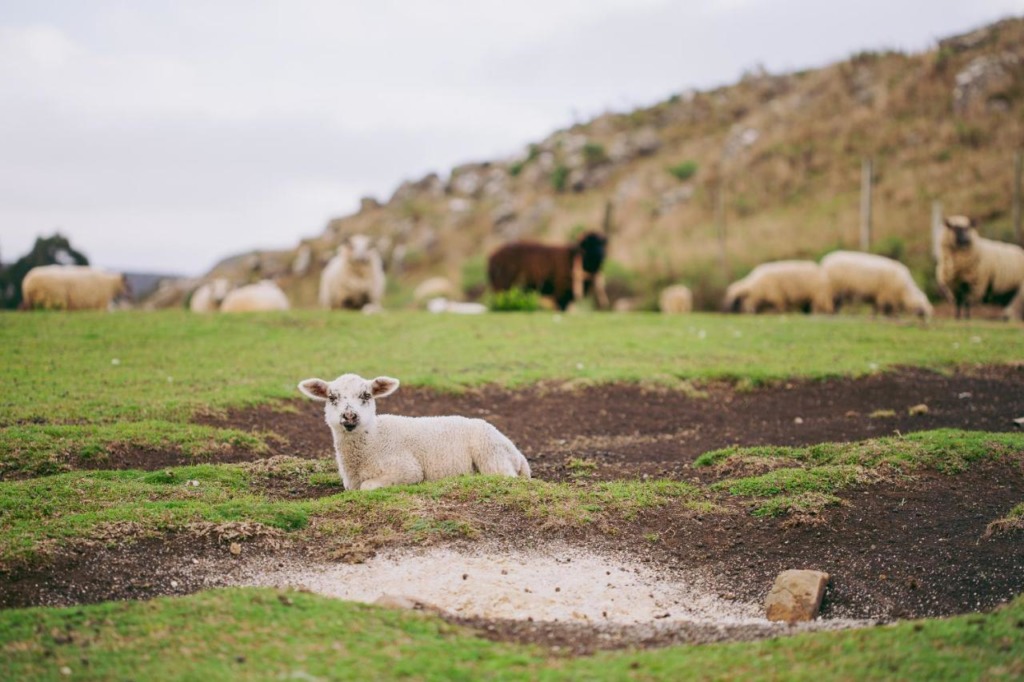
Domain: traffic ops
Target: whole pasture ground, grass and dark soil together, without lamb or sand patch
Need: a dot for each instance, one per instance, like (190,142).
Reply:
(150,463)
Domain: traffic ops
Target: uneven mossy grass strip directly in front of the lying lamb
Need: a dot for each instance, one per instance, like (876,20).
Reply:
(39,515)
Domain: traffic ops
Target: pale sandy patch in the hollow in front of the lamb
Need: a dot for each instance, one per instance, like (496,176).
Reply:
(557,584)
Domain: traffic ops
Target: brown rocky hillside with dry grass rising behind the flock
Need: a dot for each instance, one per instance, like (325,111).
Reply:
(776,159)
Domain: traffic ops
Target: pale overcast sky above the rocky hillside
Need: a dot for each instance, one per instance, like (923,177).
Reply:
(161,137)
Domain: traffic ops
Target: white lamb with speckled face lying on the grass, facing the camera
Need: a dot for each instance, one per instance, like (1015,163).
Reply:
(374,451)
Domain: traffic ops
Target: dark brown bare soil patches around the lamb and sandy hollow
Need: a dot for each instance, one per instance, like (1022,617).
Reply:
(902,549)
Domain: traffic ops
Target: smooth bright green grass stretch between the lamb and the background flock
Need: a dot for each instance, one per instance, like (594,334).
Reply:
(106,369)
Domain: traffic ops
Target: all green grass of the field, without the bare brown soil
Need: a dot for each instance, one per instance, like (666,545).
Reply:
(87,383)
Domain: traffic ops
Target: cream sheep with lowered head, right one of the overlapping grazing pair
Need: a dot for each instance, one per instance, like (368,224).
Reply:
(886,284)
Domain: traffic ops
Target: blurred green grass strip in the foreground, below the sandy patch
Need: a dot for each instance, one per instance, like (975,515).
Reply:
(269,635)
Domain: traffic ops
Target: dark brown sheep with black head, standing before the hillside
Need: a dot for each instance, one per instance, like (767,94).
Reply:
(566,273)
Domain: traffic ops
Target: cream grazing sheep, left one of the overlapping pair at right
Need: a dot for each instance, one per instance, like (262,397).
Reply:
(782,286)
